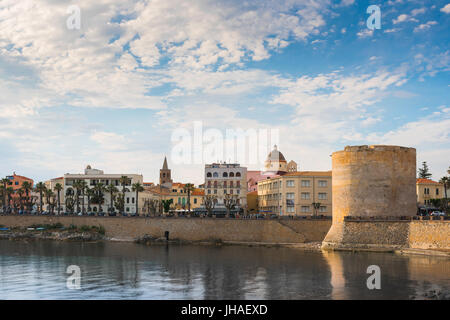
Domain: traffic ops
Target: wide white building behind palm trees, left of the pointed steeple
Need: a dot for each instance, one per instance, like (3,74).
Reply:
(94,176)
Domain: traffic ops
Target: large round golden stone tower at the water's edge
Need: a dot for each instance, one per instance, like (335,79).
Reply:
(371,181)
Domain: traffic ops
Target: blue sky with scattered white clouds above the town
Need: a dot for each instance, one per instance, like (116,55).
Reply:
(115,92)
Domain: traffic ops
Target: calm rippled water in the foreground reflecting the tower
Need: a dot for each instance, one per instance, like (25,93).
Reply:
(37,270)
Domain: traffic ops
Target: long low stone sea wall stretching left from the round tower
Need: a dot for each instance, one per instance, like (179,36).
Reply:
(191,229)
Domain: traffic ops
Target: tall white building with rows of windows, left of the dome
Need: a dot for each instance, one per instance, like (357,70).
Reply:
(226,178)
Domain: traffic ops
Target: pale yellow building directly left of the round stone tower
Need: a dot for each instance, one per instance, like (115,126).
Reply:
(300,193)
